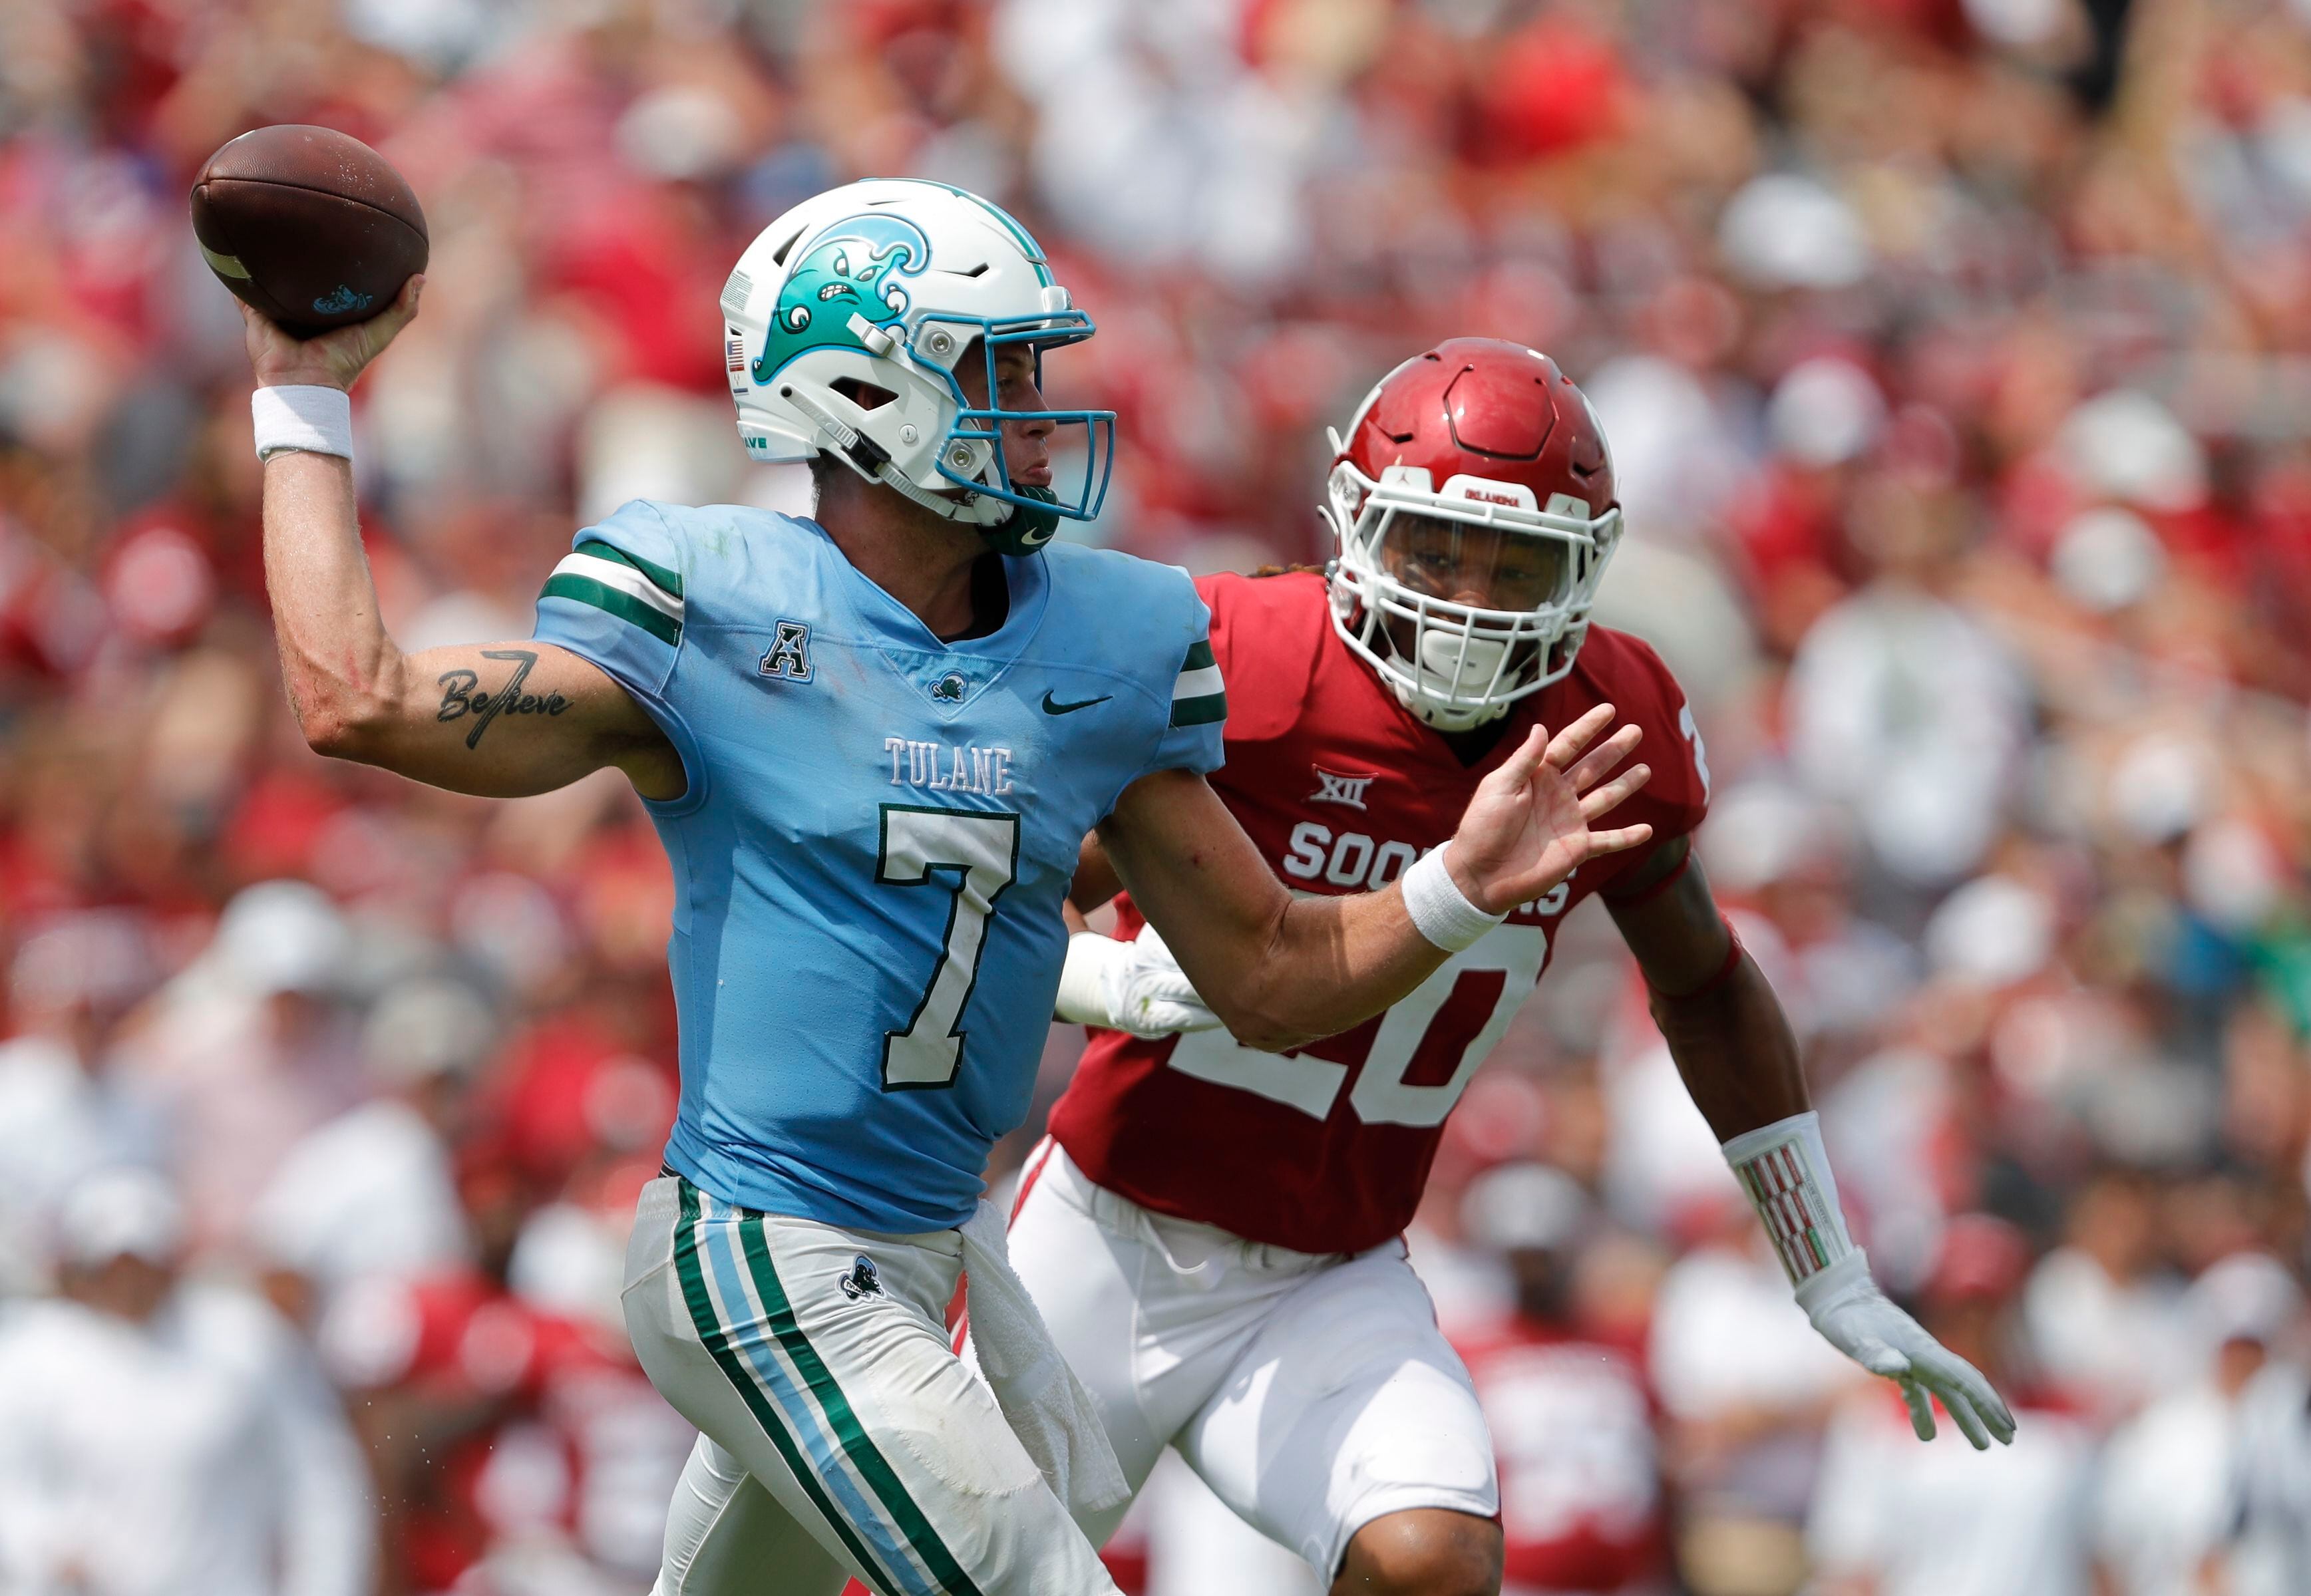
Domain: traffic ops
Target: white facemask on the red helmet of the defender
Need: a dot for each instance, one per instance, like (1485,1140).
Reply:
(1415,555)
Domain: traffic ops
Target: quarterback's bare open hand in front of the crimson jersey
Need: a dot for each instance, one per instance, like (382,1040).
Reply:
(1531,823)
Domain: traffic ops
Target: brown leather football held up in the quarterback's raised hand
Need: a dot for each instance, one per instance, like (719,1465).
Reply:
(309,225)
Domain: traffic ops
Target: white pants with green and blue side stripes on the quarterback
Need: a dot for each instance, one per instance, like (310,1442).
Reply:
(840,1435)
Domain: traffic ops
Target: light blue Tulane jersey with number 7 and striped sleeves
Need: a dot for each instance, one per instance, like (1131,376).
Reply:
(877,835)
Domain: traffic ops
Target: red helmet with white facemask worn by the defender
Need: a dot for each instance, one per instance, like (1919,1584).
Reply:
(1473,500)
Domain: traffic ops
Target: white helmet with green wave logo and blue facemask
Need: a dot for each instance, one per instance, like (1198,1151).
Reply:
(845,325)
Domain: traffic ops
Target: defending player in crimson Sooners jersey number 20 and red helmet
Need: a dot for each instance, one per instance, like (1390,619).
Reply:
(1212,1230)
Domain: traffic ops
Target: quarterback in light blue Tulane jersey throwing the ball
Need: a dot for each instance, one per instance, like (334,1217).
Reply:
(872,745)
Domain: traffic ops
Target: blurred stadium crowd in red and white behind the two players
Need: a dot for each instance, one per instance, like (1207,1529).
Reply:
(1954,355)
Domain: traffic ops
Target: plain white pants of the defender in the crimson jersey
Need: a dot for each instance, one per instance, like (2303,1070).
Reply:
(1314,1394)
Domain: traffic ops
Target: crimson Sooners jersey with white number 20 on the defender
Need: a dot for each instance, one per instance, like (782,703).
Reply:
(1339,786)
